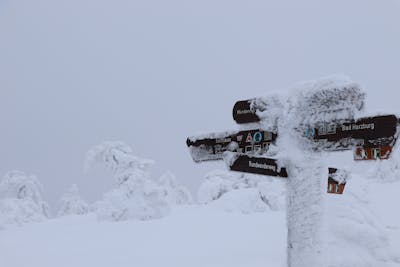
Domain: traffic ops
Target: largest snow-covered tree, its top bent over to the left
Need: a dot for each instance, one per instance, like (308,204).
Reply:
(135,195)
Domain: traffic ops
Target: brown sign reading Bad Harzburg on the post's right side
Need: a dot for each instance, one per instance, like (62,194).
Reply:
(365,132)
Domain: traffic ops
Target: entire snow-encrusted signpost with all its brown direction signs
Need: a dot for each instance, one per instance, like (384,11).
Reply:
(288,137)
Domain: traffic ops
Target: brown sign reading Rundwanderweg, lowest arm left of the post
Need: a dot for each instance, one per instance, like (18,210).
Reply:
(257,165)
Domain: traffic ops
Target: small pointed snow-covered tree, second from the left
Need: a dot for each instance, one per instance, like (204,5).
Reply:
(72,203)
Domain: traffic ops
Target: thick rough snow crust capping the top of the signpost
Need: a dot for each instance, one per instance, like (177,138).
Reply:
(331,98)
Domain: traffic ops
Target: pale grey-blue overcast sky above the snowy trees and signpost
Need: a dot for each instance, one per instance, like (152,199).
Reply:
(74,73)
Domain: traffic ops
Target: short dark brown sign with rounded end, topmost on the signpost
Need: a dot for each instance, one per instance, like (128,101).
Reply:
(245,111)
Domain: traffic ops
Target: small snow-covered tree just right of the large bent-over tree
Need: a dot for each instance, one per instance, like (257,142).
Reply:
(175,194)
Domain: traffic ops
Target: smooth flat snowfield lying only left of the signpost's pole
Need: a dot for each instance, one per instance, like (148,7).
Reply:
(191,236)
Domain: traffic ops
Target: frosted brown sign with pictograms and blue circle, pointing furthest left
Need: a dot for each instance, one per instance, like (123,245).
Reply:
(212,147)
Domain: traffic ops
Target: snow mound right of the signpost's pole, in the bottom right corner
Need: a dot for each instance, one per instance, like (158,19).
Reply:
(353,231)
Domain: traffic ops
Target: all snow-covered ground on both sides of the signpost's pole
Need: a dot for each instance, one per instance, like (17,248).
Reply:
(217,234)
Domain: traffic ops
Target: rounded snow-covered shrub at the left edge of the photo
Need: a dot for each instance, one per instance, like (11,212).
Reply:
(21,199)
